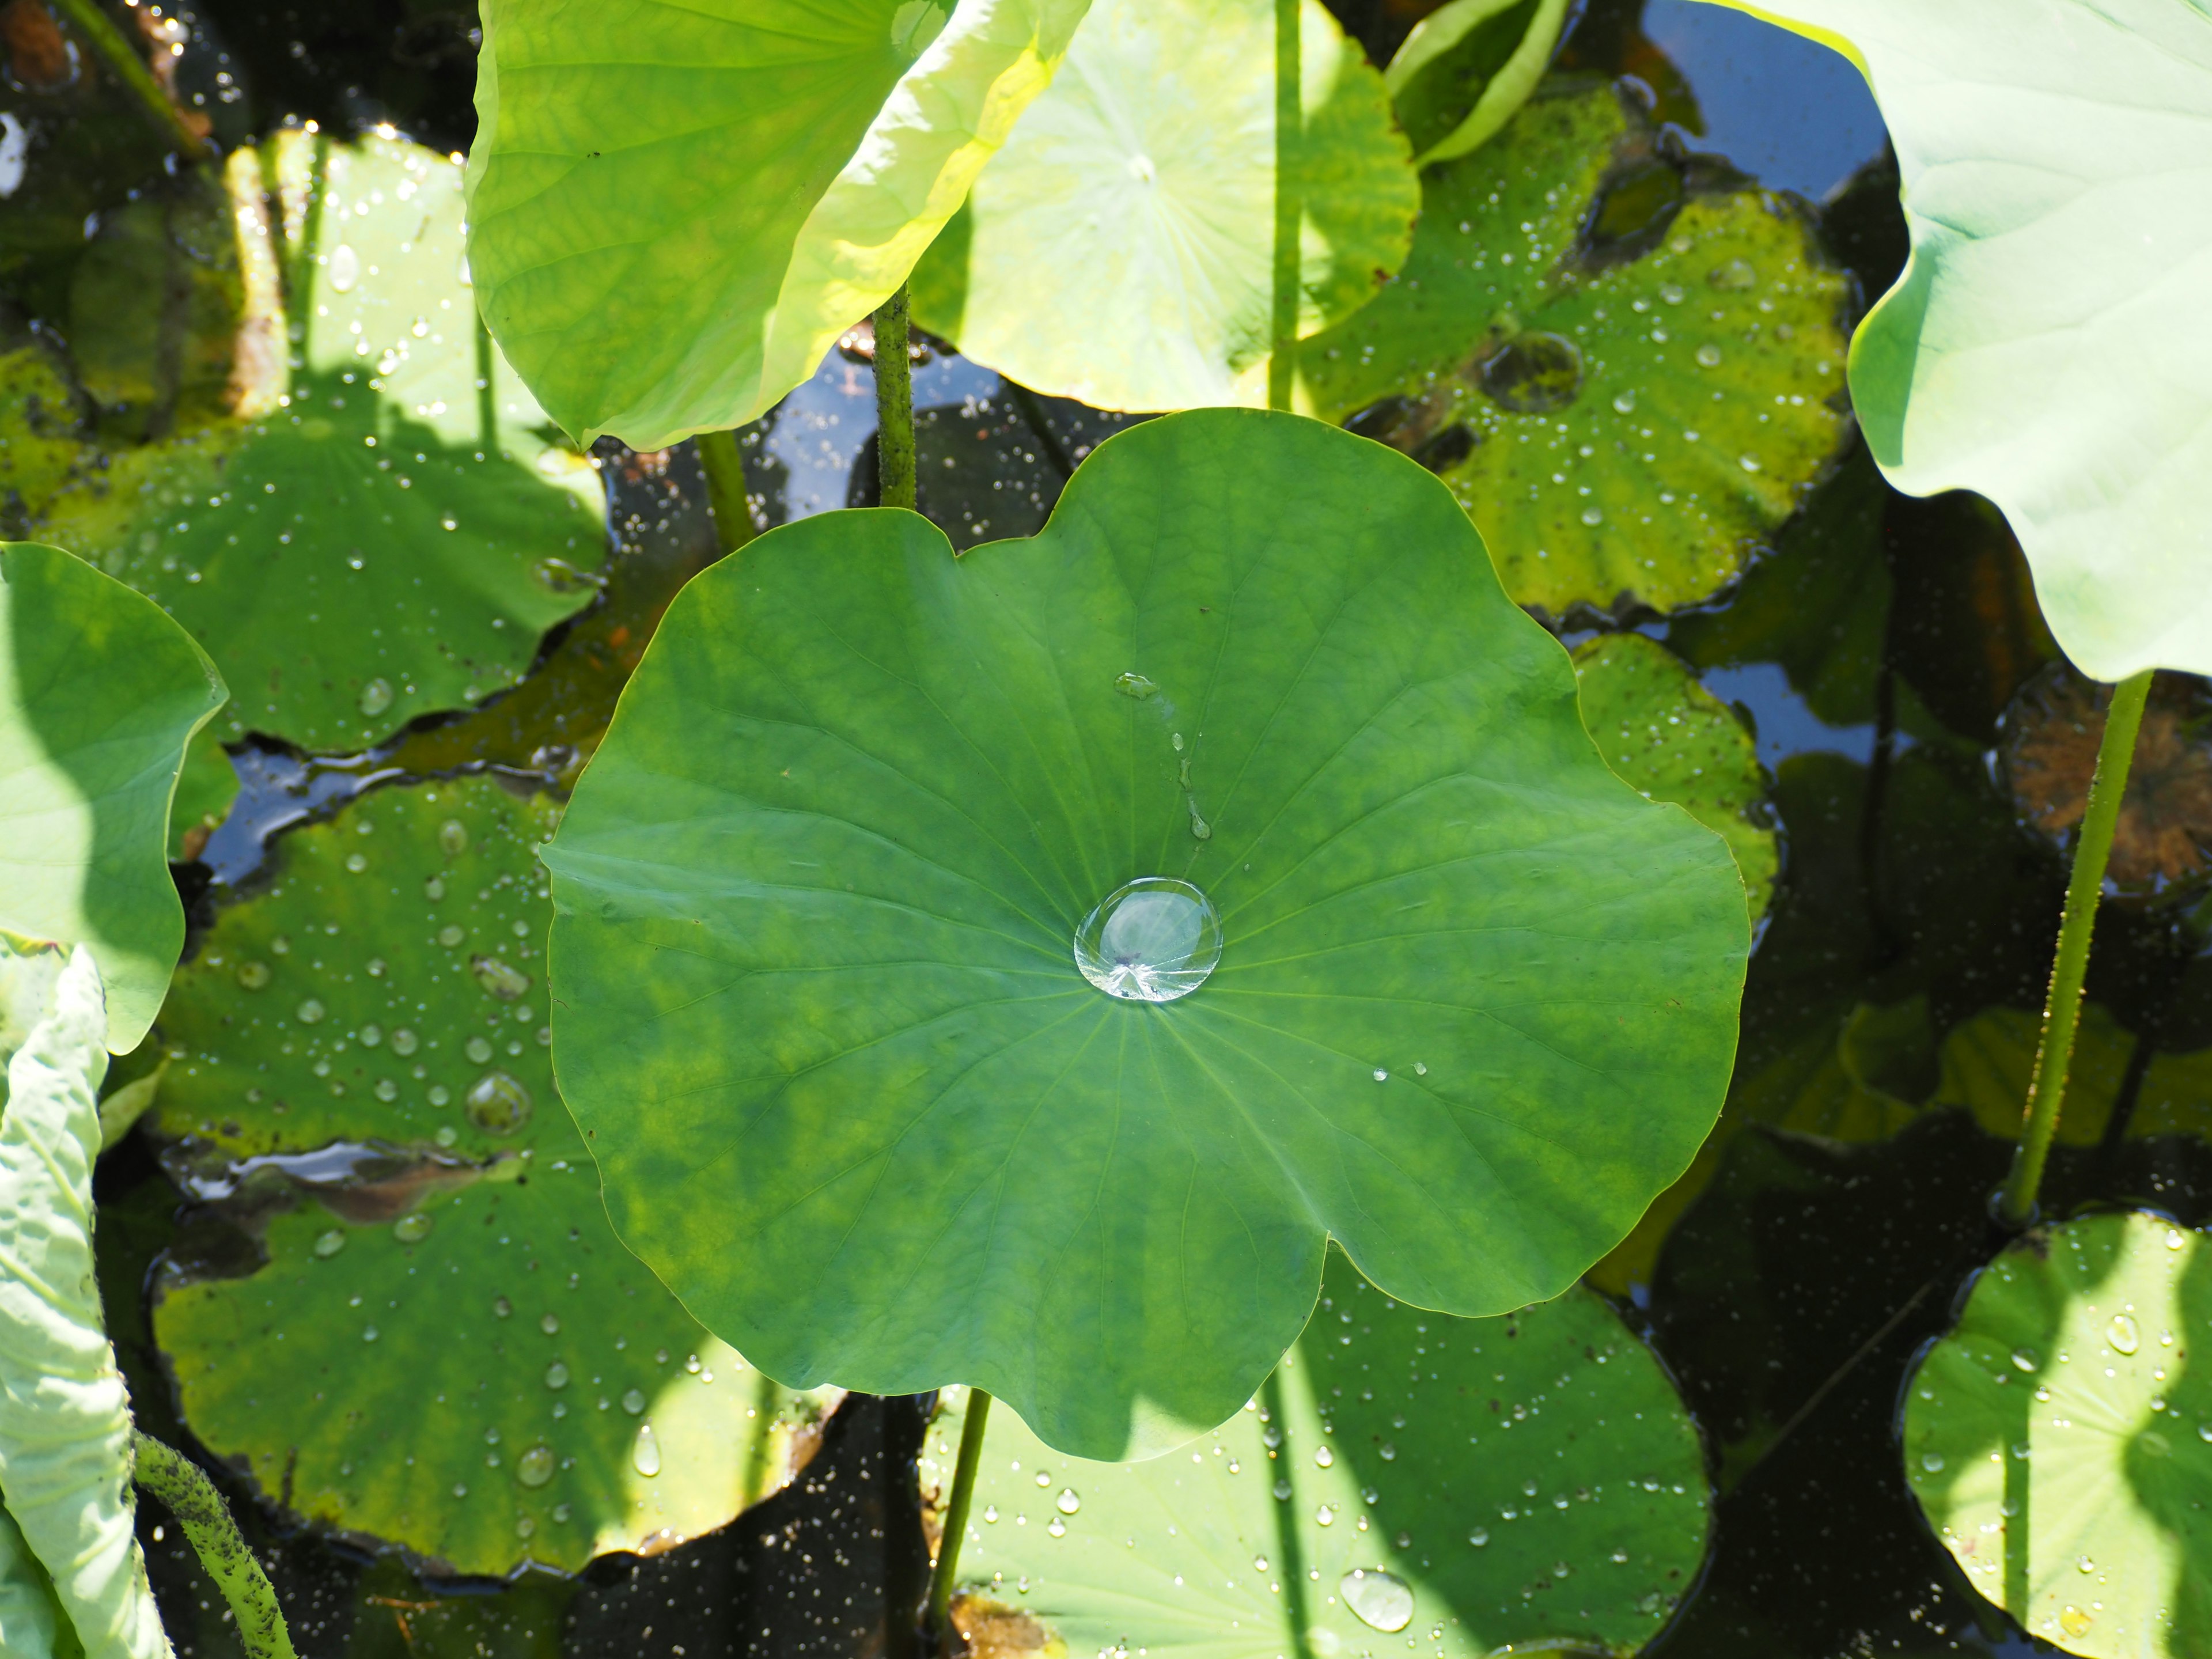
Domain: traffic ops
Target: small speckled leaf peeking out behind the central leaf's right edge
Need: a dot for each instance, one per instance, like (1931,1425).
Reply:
(1676,742)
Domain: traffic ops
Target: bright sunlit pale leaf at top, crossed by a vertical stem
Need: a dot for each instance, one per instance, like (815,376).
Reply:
(1138,196)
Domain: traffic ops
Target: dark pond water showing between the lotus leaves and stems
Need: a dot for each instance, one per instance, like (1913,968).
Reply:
(1875,651)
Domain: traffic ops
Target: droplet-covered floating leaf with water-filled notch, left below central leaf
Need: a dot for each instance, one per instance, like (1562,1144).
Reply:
(446,1348)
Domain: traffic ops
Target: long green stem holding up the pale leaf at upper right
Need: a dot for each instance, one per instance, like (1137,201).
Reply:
(2063,1010)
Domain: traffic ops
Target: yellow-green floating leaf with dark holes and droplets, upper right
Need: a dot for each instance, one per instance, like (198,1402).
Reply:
(1625,430)
